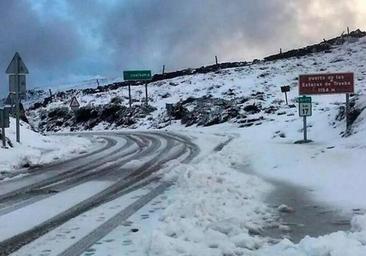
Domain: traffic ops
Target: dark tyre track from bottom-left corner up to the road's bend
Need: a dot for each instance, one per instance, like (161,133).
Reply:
(134,176)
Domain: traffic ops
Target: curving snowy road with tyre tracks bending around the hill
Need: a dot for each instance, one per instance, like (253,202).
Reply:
(51,195)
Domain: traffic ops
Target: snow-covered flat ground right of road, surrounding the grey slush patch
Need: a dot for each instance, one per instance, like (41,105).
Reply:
(213,205)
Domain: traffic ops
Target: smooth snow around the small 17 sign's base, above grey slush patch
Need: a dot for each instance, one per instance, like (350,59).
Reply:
(331,166)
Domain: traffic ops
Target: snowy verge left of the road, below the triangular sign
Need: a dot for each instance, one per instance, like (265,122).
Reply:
(35,149)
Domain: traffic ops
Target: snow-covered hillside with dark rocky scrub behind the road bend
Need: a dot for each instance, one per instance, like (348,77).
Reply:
(243,96)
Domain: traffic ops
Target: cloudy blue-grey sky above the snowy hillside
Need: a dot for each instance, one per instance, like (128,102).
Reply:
(68,40)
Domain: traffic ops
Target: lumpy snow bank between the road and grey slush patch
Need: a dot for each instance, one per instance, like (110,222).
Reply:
(214,210)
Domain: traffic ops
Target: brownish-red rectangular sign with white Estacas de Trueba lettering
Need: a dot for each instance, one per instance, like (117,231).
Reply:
(326,83)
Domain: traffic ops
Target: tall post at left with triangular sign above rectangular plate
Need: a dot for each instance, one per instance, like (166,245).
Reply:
(17,71)
